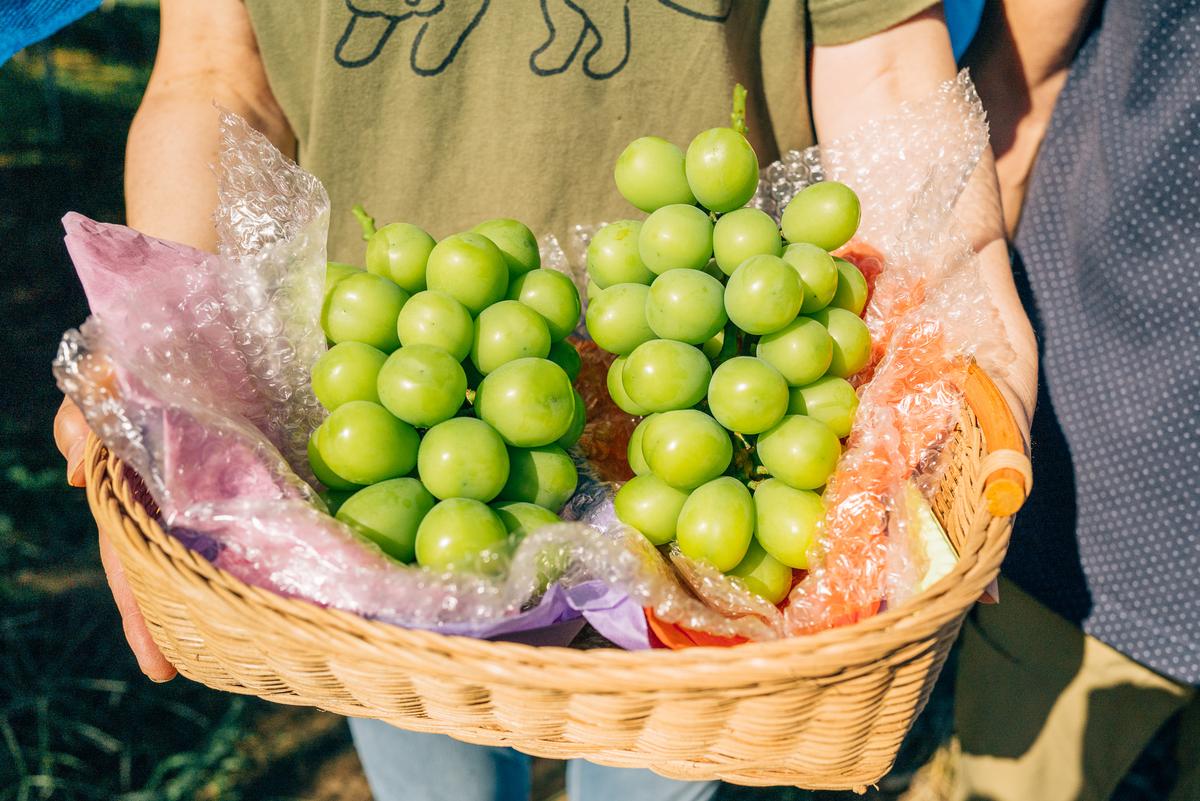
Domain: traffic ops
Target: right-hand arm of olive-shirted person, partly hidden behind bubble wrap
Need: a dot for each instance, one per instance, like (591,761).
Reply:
(873,79)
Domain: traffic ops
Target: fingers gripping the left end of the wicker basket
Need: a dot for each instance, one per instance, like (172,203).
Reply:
(71,436)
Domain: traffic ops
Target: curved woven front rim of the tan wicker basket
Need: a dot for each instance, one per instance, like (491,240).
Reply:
(857,643)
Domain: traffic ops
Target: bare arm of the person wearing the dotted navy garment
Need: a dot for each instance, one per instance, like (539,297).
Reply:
(1019,61)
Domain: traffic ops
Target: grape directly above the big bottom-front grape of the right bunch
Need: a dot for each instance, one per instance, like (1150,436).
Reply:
(687,448)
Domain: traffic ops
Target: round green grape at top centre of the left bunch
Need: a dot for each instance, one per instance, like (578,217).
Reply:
(471,269)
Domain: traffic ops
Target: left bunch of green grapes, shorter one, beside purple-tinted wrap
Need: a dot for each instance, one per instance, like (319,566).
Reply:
(449,390)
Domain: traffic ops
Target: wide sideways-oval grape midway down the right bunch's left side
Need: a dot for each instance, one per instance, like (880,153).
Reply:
(663,375)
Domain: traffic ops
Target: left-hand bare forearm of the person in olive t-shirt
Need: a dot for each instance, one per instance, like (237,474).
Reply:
(173,143)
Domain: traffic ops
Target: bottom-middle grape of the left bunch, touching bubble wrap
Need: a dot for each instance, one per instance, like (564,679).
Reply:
(457,532)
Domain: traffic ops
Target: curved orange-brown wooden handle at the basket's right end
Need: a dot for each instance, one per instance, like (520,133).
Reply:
(1009,475)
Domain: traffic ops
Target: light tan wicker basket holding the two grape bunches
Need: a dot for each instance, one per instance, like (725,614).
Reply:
(826,712)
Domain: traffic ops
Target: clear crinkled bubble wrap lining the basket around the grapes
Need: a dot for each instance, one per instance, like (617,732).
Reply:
(195,371)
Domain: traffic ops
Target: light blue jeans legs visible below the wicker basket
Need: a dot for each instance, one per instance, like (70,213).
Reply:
(410,767)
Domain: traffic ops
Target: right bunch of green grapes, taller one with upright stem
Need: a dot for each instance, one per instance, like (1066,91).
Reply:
(735,339)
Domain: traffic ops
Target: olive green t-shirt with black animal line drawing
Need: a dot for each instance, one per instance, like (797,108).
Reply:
(446,113)
